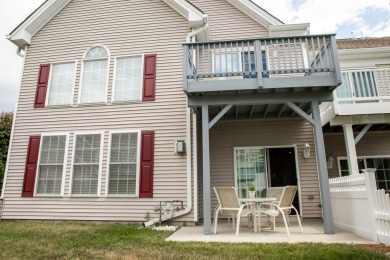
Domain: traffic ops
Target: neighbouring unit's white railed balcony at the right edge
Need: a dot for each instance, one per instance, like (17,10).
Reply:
(362,92)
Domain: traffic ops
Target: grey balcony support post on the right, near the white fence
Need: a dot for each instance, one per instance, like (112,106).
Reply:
(323,170)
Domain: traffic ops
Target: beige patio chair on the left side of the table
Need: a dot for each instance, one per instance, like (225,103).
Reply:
(229,204)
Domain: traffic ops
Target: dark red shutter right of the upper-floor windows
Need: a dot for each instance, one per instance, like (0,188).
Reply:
(149,88)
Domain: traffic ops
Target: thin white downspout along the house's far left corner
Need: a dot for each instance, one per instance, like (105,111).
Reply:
(18,52)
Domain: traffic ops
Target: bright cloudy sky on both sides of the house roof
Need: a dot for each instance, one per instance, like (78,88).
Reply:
(368,17)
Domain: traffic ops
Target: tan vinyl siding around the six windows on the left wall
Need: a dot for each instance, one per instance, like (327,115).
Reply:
(125,28)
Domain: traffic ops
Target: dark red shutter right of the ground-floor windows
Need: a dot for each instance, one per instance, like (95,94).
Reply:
(147,163)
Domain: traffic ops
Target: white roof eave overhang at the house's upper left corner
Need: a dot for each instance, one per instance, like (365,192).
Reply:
(23,34)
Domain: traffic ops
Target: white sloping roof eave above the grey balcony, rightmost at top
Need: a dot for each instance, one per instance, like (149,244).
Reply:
(255,12)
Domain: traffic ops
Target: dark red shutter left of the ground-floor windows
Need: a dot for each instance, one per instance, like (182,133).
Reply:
(31,166)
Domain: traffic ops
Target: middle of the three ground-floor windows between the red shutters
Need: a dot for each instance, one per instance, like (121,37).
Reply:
(86,166)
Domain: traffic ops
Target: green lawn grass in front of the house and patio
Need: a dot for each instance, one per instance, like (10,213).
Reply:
(68,240)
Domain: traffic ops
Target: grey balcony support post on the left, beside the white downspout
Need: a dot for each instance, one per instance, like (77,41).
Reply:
(206,171)
